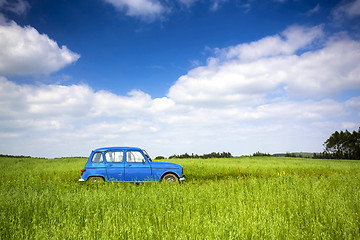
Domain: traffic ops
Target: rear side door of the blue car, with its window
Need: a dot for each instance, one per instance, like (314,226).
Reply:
(115,165)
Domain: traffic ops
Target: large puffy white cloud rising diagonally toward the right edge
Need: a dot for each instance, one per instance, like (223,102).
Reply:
(249,73)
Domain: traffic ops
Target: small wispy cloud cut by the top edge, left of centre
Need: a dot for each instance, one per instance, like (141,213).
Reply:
(146,9)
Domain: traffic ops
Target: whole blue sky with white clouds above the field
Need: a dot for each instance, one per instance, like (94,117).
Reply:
(177,76)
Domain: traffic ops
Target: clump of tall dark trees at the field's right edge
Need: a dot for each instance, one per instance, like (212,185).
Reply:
(343,145)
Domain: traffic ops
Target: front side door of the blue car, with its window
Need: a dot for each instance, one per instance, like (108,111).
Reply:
(137,167)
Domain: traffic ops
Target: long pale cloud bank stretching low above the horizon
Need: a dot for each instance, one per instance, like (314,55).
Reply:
(54,121)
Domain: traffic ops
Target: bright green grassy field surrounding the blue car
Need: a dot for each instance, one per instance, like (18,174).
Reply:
(237,198)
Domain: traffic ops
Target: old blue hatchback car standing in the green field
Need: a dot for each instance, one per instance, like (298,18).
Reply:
(128,164)
